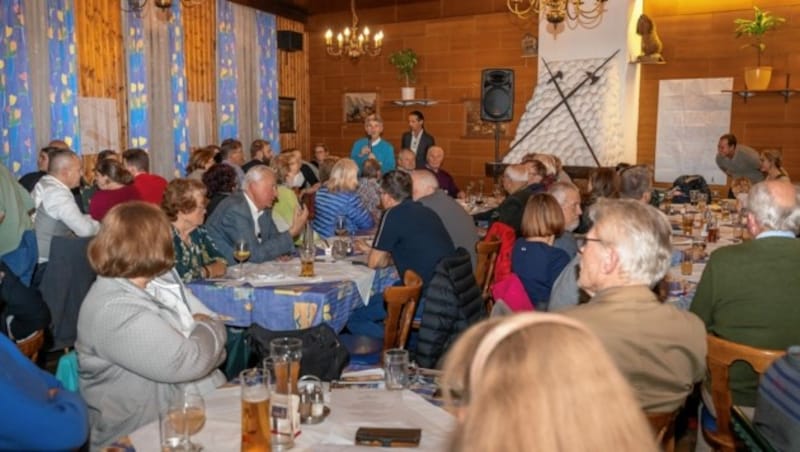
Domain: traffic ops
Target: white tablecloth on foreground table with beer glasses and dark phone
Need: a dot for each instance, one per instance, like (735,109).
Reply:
(350,409)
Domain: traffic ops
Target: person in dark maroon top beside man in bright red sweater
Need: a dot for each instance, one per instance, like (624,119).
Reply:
(115,184)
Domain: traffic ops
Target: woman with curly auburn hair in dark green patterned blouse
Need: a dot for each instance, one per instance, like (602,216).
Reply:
(196,257)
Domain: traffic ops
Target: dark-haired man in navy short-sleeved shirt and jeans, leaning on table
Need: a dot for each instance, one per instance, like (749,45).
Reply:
(410,234)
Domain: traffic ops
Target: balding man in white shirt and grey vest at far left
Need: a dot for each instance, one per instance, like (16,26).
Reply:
(57,213)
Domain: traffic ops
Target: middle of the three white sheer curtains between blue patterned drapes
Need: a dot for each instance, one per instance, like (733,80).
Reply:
(159,109)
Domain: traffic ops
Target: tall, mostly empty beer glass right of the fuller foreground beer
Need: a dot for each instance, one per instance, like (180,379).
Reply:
(285,354)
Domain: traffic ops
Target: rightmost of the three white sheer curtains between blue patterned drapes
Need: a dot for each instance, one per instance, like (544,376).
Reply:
(247,73)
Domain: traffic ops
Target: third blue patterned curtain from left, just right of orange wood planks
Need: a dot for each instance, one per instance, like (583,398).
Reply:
(138,125)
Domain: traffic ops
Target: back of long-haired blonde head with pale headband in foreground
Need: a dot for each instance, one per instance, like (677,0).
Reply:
(539,382)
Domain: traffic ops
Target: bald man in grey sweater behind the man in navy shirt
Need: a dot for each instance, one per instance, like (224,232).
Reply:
(456,220)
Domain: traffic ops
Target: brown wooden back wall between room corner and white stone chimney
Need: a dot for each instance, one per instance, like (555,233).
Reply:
(454,46)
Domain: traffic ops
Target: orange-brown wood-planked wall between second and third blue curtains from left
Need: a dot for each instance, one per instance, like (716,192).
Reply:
(101,58)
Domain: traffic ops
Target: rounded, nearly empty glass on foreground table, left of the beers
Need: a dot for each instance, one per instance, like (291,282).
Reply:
(185,416)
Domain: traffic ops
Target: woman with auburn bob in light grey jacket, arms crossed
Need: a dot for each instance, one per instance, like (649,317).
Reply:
(142,338)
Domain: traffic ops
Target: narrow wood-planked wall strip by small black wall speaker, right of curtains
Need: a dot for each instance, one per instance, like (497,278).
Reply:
(293,81)
